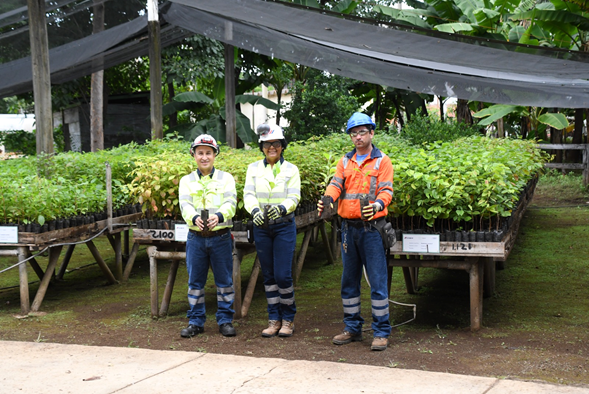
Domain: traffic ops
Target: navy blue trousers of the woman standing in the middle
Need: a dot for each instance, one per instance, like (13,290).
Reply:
(275,246)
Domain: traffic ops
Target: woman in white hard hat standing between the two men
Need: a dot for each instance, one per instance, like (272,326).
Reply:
(271,194)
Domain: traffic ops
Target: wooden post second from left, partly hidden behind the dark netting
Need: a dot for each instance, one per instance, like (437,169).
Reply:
(97,86)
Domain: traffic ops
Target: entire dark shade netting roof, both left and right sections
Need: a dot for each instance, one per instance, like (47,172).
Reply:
(387,54)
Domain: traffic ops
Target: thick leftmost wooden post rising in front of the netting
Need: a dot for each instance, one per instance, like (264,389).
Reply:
(41,76)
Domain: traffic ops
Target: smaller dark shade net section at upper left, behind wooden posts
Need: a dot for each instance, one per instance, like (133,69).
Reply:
(81,52)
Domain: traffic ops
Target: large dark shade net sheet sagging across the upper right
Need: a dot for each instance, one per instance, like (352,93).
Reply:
(389,56)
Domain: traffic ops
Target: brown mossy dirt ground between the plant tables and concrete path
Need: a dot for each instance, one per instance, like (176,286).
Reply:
(439,340)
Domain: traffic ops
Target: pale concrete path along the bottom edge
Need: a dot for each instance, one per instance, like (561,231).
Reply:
(43,368)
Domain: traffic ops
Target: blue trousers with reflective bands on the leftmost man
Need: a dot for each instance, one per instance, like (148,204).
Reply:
(218,253)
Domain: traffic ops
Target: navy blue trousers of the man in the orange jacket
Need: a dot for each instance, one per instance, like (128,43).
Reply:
(362,247)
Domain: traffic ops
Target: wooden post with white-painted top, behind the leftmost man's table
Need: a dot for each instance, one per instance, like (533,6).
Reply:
(155,70)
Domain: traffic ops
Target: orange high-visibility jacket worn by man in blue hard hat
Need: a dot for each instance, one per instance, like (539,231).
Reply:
(373,177)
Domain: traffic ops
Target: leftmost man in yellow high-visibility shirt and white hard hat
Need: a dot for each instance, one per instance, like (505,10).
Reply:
(211,192)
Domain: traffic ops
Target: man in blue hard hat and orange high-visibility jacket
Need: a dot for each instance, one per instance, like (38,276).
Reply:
(363,183)
